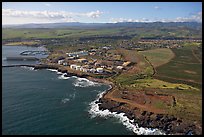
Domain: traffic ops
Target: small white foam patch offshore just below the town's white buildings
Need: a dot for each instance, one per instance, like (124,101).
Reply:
(83,82)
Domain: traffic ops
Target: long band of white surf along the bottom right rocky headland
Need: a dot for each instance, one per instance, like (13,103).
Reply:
(94,111)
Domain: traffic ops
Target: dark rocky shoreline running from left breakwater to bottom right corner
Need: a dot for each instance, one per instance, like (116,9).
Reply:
(167,123)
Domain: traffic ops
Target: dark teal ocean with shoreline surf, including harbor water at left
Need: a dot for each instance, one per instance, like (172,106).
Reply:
(44,102)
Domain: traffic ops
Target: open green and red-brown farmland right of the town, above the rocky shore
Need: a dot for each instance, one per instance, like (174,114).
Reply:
(182,75)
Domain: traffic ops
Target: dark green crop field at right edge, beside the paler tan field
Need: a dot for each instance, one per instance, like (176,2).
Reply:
(184,67)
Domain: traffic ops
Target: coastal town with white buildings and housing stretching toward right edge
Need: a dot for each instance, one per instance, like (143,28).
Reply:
(105,61)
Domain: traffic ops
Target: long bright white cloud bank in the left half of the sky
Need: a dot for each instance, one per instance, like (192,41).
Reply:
(50,15)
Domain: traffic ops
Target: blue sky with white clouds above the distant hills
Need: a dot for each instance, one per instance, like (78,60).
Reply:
(100,12)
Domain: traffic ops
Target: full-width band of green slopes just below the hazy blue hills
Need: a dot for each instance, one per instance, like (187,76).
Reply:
(150,32)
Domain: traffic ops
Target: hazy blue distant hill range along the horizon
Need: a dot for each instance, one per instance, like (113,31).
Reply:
(194,25)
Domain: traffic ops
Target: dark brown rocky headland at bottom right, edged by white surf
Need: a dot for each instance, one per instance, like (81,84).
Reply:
(167,123)
